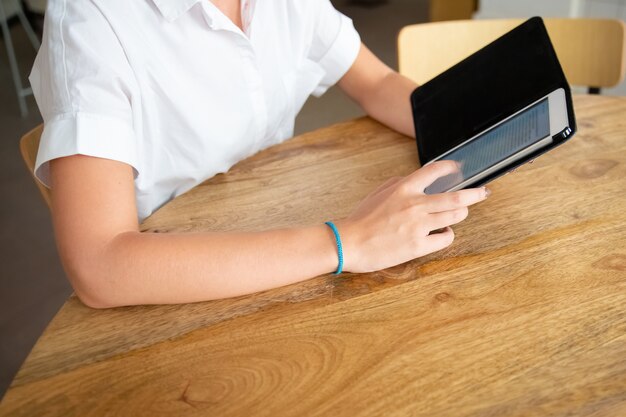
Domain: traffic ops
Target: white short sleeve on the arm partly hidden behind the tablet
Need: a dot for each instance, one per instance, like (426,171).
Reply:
(335,45)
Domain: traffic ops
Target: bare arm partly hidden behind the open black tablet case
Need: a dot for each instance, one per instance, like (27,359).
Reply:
(380,91)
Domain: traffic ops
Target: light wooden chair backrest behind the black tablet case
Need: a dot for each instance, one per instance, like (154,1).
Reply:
(591,51)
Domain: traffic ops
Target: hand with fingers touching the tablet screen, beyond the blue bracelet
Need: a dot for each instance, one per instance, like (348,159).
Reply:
(394,224)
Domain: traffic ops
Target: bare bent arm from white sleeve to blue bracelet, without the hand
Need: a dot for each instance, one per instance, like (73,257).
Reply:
(110,263)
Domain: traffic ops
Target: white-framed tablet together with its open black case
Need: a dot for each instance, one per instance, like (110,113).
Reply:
(497,109)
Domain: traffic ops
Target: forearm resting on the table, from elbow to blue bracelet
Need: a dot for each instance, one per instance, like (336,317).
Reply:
(147,268)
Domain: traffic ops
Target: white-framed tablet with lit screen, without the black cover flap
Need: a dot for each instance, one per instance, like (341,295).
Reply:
(514,138)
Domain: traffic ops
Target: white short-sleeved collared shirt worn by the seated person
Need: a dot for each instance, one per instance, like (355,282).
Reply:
(175,89)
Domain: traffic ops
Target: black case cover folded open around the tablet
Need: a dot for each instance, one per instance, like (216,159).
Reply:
(500,79)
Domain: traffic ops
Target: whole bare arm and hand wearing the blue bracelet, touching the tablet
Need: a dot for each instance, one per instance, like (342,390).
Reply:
(110,263)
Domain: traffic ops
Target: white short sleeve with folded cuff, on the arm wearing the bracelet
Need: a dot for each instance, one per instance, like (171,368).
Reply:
(84,86)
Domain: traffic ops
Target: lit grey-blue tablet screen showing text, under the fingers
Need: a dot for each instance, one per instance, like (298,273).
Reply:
(494,146)
